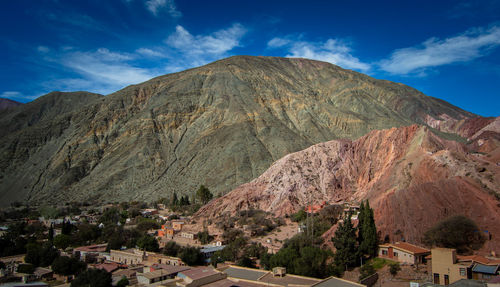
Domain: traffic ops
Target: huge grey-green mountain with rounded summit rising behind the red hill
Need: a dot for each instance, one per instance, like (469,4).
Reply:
(220,125)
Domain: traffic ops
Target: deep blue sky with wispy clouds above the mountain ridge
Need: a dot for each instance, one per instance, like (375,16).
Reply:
(446,49)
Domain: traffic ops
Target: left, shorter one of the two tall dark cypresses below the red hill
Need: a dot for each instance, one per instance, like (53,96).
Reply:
(345,243)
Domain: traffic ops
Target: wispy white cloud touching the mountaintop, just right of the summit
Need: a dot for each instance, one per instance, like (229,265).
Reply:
(333,50)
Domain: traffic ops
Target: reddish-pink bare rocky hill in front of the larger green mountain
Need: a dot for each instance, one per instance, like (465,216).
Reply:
(412,177)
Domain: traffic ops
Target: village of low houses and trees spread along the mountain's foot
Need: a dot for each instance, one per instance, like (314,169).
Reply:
(138,244)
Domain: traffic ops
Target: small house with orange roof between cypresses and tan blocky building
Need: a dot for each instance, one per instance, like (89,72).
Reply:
(403,252)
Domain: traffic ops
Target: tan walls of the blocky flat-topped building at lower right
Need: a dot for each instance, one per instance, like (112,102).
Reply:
(443,263)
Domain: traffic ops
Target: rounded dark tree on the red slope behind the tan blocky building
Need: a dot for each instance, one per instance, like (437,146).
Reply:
(458,232)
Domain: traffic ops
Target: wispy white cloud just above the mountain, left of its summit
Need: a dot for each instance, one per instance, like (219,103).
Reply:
(194,50)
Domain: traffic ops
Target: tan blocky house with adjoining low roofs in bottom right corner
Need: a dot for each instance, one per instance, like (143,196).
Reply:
(448,267)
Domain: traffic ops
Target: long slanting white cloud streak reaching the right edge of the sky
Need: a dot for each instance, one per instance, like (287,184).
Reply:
(434,52)
